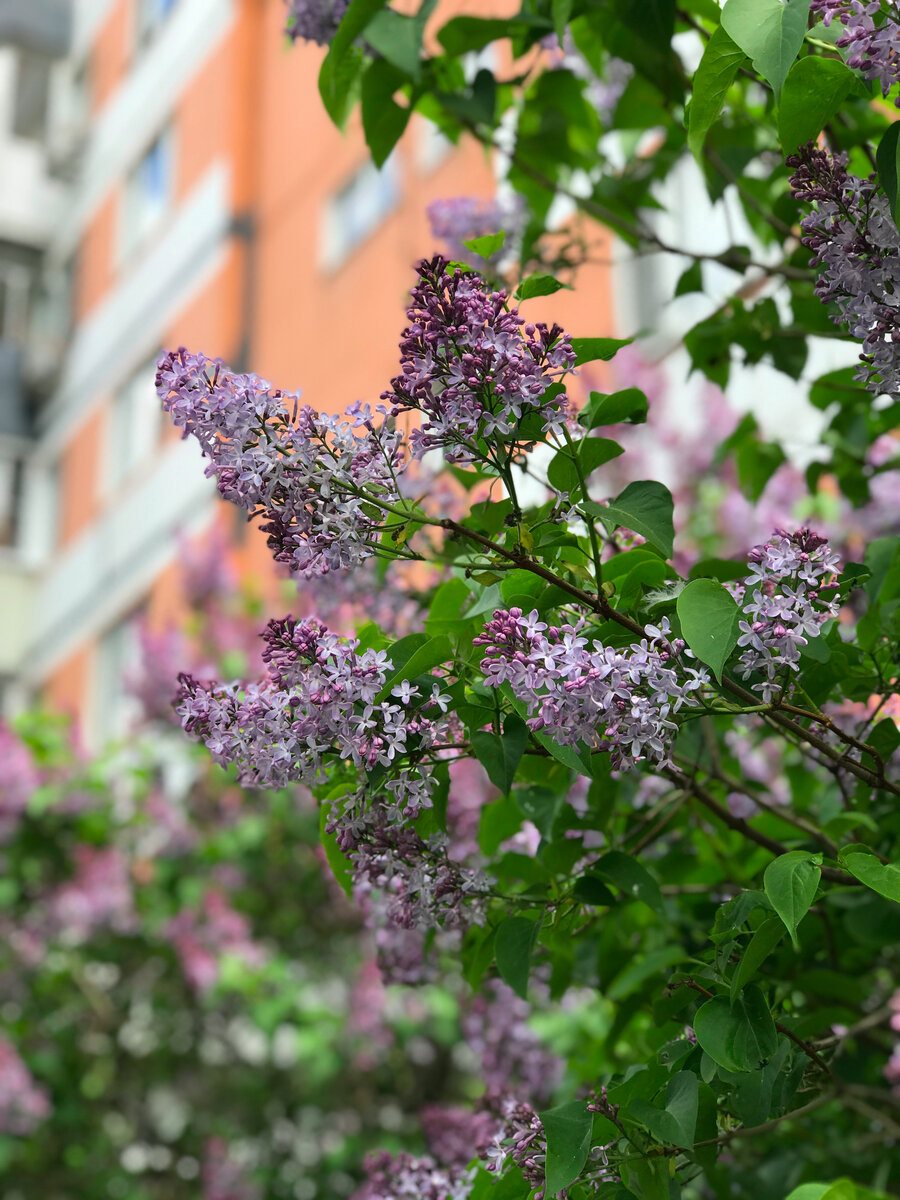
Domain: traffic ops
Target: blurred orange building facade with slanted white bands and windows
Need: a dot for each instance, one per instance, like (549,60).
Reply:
(218,208)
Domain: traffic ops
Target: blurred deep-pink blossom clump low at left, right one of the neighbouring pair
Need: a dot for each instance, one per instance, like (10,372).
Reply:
(203,937)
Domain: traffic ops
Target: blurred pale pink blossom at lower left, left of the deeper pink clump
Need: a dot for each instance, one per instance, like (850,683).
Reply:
(99,896)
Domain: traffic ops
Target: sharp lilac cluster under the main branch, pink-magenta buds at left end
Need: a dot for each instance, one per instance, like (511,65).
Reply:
(622,701)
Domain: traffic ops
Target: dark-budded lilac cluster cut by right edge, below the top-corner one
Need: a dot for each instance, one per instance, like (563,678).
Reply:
(857,248)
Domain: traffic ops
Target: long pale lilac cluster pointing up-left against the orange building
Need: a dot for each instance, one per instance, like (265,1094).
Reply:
(308,475)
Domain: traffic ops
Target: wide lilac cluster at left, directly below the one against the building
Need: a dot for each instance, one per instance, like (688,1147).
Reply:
(320,700)
